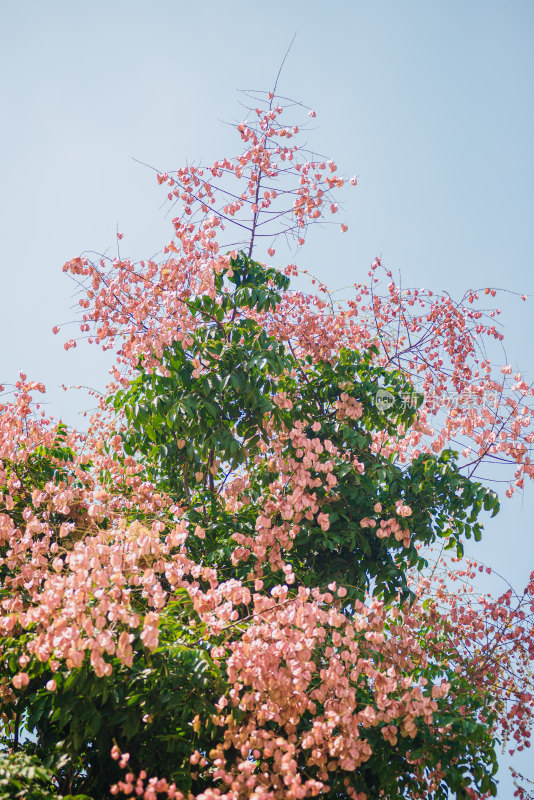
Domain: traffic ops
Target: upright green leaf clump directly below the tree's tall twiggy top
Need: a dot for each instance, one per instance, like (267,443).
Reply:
(180,421)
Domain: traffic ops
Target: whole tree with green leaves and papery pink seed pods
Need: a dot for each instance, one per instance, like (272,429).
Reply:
(226,581)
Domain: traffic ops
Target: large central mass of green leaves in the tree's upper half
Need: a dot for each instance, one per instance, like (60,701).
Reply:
(209,405)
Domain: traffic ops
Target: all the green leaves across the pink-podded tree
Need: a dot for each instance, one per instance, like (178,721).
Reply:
(209,412)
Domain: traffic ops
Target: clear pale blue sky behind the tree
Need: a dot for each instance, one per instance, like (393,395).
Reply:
(428,102)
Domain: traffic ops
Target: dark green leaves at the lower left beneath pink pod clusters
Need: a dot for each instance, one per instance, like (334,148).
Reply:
(146,709)
